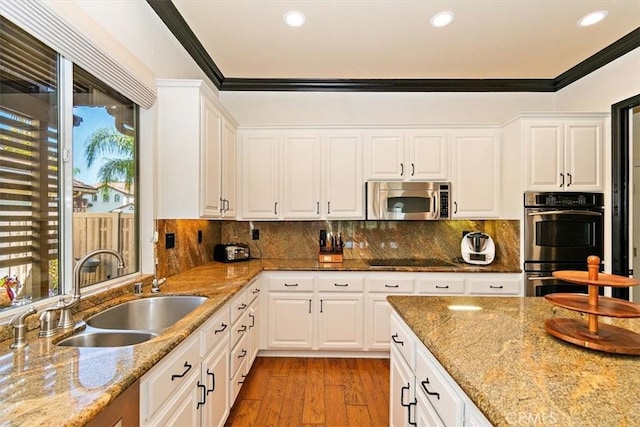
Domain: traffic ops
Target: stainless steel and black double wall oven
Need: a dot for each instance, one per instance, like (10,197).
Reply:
(560,231)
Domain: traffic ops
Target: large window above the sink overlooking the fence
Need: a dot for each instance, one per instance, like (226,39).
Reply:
(35,178)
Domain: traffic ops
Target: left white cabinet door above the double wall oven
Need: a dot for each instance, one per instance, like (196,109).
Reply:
(544,155)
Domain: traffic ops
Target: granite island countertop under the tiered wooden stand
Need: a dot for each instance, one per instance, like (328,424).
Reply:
(504,360)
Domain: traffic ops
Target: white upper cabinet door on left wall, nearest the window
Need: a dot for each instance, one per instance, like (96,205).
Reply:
(210,197)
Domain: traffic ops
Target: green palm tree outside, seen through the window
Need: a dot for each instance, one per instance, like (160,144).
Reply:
(121,167)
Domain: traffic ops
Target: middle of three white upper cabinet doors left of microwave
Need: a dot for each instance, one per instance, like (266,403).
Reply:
(301,175)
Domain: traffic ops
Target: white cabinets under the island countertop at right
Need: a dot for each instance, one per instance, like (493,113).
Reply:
(422,392)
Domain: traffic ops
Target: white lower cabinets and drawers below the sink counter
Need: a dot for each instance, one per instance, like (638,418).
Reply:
(197,382)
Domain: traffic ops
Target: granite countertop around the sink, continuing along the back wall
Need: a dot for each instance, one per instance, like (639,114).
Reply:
(44,384)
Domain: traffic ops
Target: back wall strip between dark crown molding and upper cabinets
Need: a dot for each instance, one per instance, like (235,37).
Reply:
(353,108)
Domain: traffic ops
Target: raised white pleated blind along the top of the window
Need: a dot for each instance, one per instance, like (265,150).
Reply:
(40,21)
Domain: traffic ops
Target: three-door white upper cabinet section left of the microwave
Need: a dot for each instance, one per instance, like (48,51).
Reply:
(320,177)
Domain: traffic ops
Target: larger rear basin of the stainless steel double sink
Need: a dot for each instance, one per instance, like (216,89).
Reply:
(147,314)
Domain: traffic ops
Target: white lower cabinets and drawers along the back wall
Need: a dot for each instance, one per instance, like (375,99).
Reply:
(349,310)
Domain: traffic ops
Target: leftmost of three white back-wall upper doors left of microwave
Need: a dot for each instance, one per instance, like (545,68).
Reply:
(260,176)
